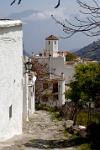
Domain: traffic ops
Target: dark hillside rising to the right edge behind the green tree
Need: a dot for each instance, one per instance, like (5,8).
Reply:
(91,51)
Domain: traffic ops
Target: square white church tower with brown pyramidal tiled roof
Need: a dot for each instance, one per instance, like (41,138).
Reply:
(51,46)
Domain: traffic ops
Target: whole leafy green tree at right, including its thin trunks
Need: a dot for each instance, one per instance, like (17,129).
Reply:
(85,87)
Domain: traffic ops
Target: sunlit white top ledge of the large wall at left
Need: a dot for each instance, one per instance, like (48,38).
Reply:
(9,23)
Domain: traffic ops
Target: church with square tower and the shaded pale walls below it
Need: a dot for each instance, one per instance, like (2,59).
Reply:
(56,59)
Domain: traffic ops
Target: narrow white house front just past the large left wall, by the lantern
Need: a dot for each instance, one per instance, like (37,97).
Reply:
(28,92)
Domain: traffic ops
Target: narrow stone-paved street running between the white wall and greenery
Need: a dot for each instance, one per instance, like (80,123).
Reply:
(40,133)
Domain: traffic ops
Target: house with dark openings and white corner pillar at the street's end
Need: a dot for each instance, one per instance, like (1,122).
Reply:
(52,91)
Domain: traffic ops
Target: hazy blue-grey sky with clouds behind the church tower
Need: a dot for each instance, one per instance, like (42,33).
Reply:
(38,24)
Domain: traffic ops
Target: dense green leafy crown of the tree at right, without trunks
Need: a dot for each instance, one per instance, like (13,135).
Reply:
(88,77)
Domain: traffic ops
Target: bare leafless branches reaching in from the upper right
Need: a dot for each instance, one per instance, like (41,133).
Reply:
(89,26)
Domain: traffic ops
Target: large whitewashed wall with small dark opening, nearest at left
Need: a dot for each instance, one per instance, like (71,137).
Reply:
(11,74)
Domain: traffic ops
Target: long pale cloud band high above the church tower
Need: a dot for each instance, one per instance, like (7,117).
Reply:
(38,15)
